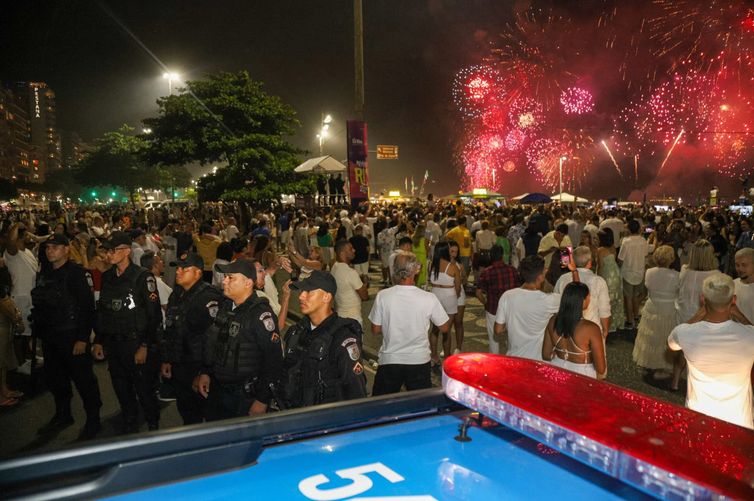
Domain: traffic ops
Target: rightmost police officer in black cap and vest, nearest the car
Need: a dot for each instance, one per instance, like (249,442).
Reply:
(323,351)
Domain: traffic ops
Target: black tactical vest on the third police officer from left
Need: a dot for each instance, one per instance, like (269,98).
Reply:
(179,344)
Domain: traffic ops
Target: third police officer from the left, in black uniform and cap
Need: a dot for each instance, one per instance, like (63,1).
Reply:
(192,306)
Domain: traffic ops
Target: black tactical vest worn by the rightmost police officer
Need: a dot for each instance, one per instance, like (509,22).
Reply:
(307,360)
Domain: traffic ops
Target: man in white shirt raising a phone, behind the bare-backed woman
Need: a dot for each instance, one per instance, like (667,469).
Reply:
(598,310)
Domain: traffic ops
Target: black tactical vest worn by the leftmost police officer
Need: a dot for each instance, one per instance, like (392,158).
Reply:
(54,307)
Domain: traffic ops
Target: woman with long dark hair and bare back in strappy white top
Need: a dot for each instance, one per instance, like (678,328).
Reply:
(571,342)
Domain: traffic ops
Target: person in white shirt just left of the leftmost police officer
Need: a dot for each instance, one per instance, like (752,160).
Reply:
(23,266)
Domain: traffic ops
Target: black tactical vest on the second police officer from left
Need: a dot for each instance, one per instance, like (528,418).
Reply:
(119,309)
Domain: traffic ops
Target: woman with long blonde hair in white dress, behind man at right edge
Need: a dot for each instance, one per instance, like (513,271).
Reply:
(702,263)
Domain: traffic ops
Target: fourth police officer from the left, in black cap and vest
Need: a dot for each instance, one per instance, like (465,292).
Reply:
(244,355)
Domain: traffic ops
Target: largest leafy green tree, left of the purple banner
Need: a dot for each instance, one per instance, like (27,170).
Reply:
(230,118)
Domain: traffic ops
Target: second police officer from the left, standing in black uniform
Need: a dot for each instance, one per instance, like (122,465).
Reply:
(127,320)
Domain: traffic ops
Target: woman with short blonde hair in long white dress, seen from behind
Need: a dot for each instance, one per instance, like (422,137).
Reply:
(659,315)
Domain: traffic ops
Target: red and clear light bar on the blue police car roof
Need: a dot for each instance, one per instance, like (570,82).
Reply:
(660,448)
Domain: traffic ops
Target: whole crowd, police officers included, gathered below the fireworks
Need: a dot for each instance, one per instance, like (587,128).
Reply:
(188,295)
